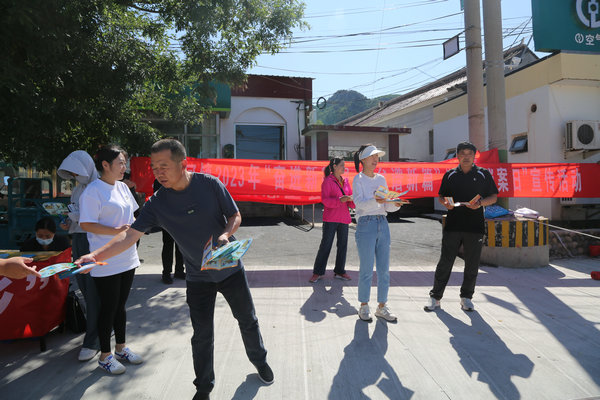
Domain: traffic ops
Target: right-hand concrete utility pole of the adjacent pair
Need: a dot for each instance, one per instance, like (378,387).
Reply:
(494,71)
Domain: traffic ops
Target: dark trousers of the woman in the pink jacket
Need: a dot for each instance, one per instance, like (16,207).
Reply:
(329,231)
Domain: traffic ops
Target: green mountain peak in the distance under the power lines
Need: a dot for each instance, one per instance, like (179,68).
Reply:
(346,103)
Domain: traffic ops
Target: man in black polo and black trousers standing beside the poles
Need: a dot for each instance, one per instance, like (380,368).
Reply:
(470,188)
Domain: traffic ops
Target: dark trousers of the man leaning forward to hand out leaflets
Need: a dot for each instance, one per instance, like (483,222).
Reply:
(201,301)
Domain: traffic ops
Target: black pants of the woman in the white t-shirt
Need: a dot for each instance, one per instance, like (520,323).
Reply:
(113,292)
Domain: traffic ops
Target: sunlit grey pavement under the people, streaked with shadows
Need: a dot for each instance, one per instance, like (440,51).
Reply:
(535,333)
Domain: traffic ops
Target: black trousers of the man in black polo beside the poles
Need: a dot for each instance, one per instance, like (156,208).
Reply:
(451,241)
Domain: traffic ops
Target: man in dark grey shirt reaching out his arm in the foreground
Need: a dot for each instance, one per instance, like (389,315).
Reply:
(192,207)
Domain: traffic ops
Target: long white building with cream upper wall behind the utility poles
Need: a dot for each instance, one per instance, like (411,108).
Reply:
(541,98)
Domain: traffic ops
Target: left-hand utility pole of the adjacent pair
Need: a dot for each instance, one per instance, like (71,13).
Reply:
(474,73)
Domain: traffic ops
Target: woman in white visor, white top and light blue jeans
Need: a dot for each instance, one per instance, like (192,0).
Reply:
(372,232)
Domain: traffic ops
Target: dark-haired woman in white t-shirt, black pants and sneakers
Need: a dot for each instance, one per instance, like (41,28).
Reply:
(106,209)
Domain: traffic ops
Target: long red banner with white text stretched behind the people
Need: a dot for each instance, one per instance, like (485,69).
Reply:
(299,182)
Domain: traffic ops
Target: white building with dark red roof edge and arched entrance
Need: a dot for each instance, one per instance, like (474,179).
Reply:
(262,120)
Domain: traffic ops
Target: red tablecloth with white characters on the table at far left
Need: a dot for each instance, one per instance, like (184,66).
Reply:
(31,307)
